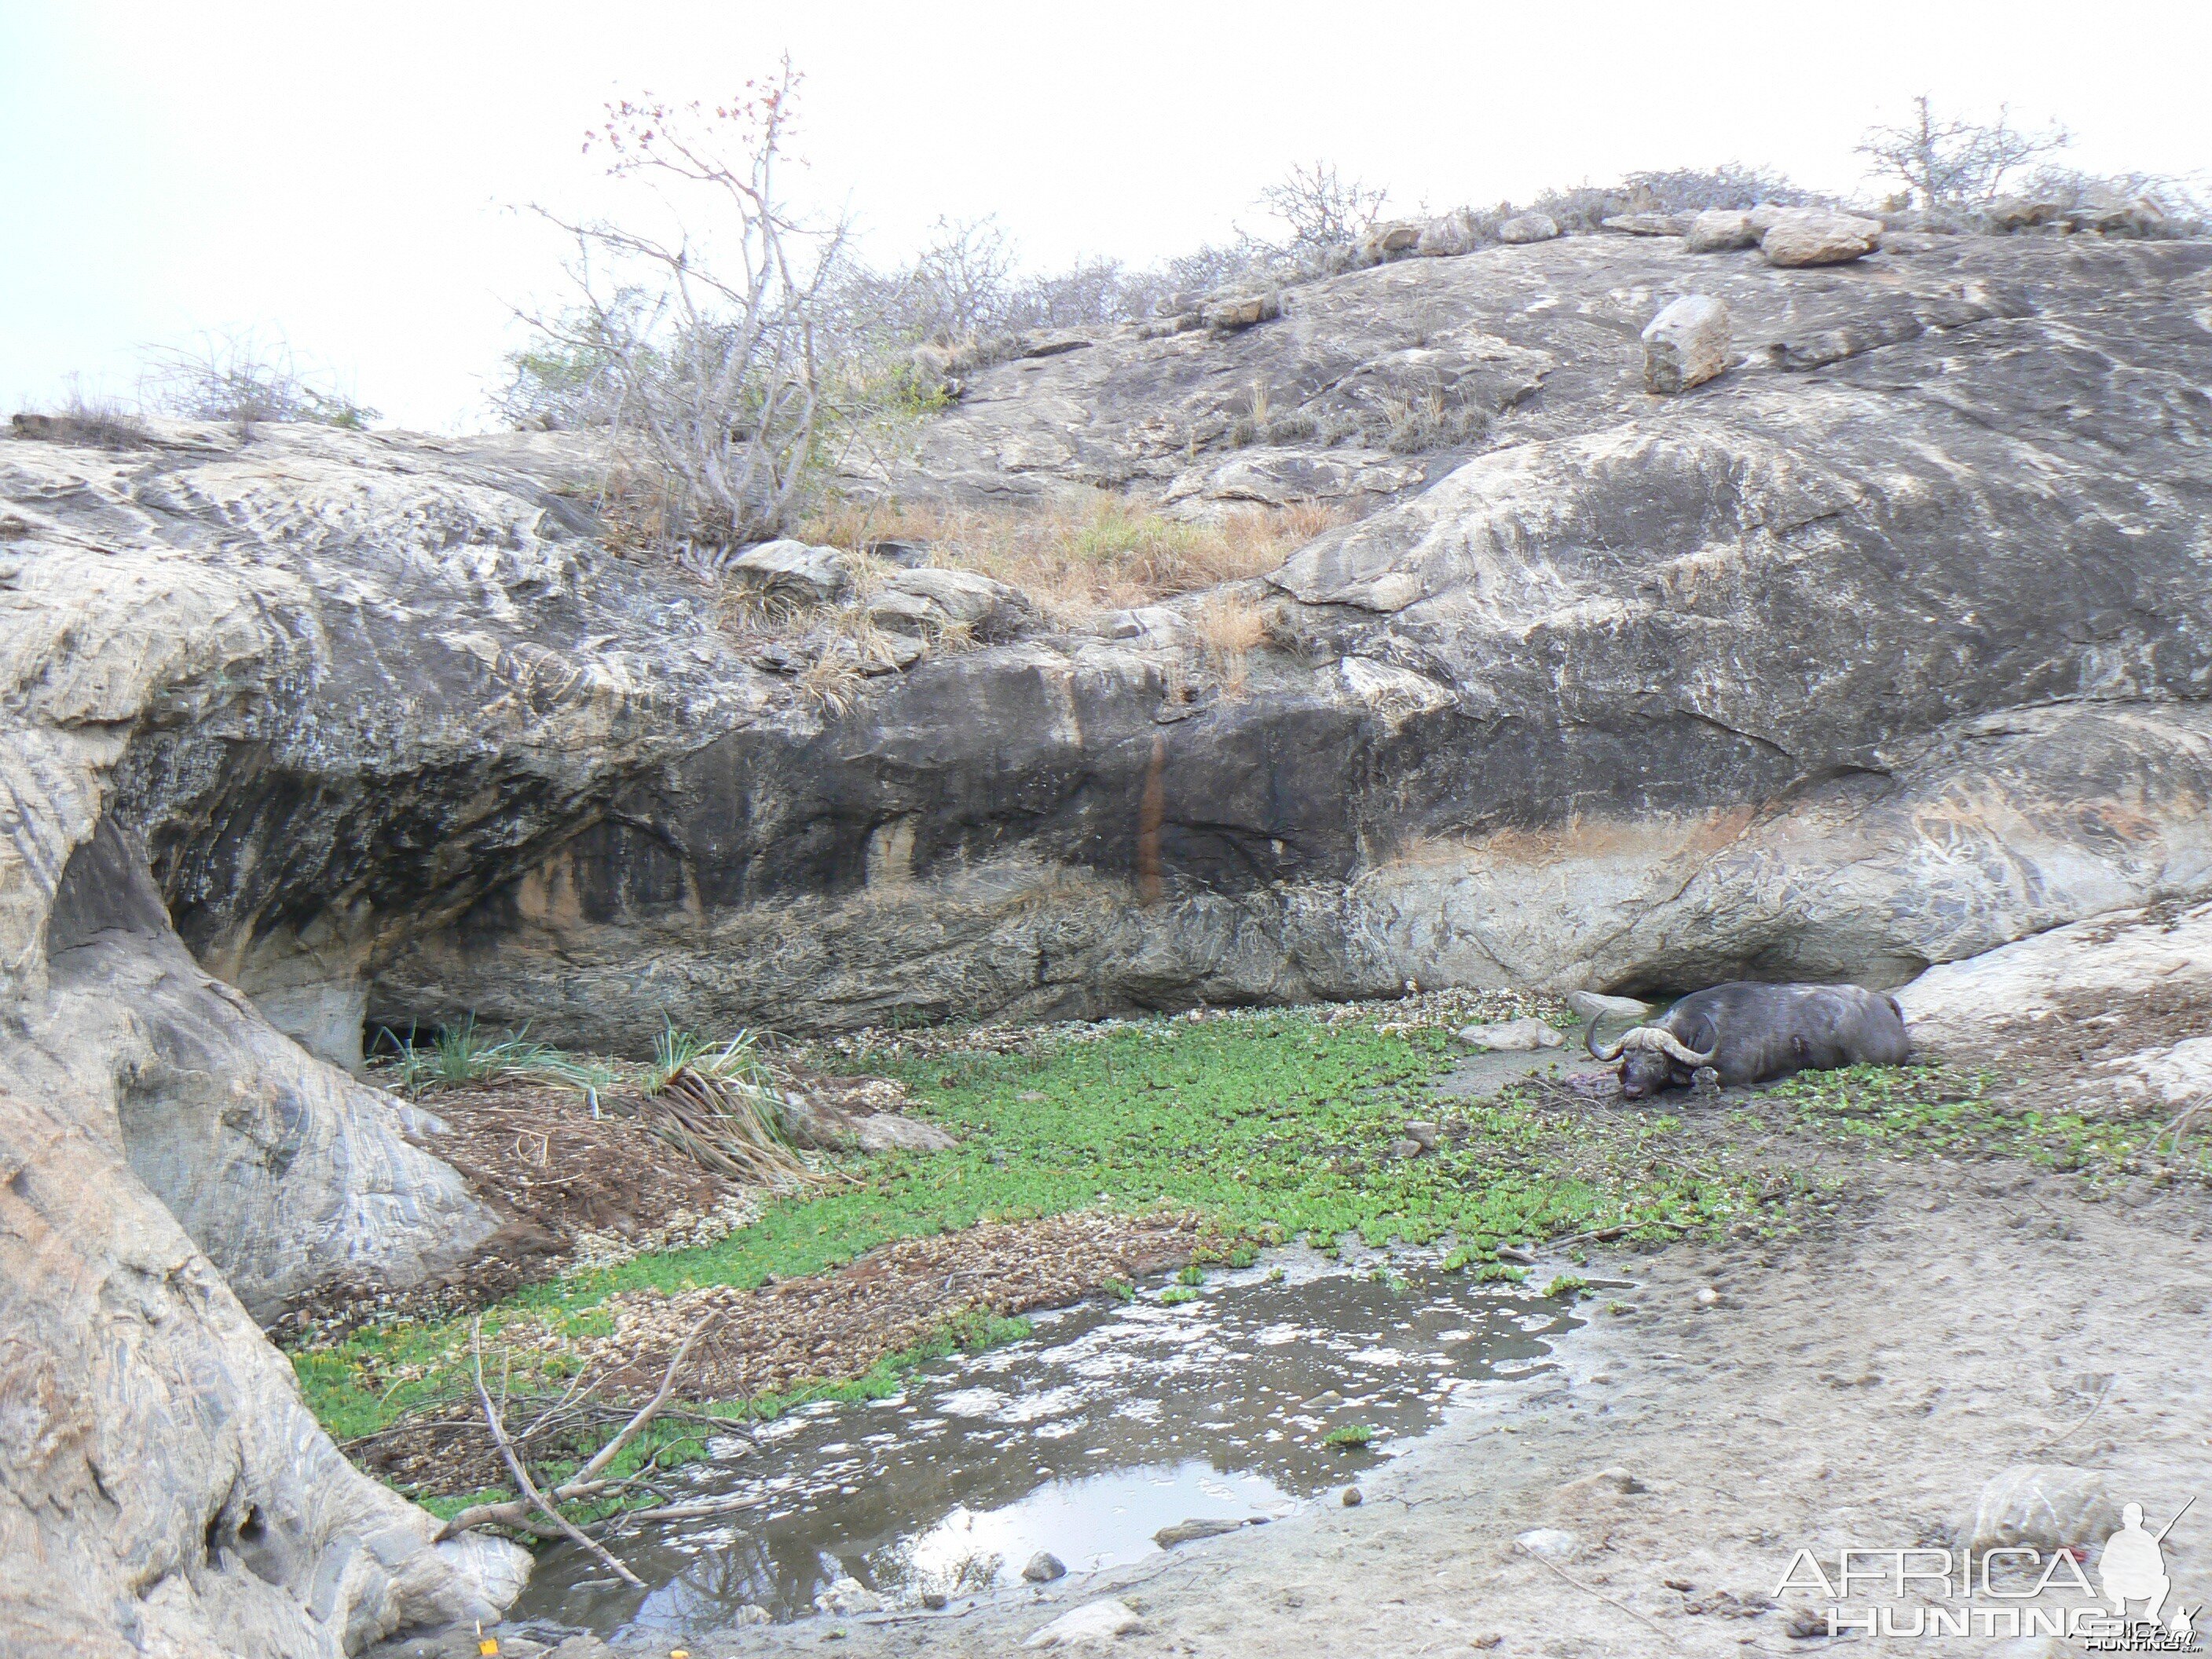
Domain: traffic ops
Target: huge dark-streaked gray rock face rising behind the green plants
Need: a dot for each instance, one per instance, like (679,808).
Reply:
(1868,658)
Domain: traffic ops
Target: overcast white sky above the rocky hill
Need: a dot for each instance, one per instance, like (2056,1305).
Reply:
(346,178)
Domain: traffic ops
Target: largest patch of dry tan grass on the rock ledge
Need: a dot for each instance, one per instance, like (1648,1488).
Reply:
(1081,556)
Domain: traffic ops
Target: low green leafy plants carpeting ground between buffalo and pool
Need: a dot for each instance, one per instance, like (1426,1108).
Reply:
(1271,1127)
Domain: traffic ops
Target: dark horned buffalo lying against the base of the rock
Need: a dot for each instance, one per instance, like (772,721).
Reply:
(1753,1034)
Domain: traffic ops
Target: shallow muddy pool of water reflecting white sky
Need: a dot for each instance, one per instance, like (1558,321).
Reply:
(1083,1441)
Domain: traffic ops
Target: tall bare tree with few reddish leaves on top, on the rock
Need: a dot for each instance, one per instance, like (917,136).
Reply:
(702,340)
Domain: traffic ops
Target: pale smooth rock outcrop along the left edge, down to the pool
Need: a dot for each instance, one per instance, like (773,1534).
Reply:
(163,1488)
